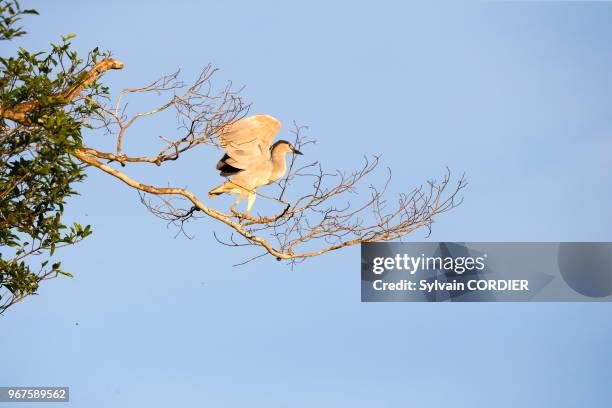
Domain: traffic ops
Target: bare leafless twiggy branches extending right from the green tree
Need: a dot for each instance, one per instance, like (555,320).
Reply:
(332,215)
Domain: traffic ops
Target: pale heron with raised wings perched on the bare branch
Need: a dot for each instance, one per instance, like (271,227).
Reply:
(251,160)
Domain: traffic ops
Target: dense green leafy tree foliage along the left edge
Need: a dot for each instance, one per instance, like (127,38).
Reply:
(40,128)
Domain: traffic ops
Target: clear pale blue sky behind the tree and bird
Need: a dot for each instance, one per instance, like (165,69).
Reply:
(517,95)
